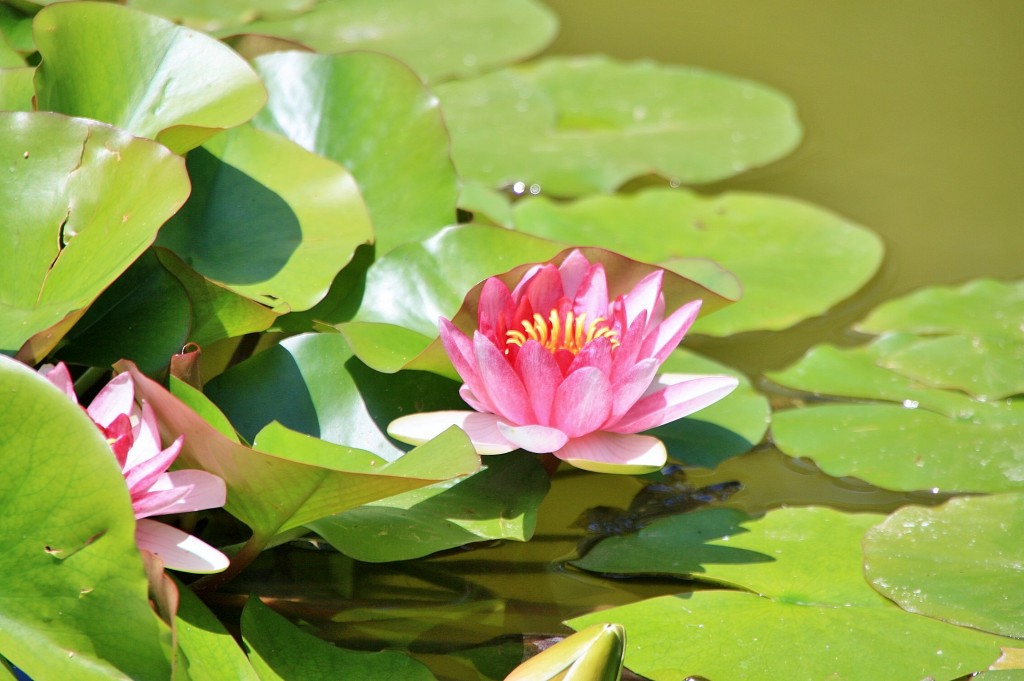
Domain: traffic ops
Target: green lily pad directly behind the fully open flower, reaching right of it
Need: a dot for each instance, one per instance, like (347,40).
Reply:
(806,260)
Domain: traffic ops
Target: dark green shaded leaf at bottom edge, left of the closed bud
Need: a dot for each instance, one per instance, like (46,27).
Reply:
(281,652)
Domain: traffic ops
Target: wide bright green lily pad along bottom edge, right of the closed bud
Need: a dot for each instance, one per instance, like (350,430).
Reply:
(730,635)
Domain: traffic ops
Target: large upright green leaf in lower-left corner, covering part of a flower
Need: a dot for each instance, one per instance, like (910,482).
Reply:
(73,593)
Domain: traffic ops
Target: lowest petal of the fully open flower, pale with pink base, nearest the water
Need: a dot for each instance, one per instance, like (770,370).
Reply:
(612,453)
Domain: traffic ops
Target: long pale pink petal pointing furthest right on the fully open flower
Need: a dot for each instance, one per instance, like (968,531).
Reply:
(674,402)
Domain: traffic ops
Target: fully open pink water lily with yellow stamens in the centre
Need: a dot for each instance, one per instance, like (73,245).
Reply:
(557,367)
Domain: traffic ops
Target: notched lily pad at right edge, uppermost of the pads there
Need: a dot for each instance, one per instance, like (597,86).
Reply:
(977,323)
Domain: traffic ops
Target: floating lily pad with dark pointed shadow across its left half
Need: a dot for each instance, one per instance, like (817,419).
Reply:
(795,556)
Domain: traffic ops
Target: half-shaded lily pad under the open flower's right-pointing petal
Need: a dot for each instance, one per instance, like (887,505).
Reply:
(728,429)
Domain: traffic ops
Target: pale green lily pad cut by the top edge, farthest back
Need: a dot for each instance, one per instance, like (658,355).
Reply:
(440,39)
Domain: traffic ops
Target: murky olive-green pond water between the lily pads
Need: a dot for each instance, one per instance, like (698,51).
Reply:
(914,122)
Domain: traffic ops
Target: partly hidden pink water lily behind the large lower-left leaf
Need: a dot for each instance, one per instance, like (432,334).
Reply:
(132,431)
